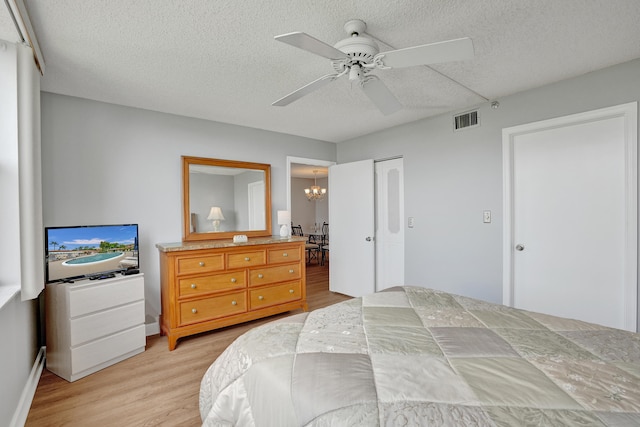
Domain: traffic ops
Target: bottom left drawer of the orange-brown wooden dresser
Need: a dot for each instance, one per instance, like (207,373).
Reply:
(211,308)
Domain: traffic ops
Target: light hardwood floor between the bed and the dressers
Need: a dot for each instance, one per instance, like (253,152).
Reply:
(157,387)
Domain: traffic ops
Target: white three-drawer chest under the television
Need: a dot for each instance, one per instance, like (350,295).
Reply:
(92,324)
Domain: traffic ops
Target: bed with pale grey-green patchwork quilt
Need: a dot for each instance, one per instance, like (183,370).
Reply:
(414,356)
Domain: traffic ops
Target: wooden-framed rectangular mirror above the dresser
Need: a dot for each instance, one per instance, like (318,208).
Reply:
(223,198)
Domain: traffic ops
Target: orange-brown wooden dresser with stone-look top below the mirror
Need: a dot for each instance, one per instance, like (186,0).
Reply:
(212,284)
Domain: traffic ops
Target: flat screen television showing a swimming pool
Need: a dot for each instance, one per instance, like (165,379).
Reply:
(87,251)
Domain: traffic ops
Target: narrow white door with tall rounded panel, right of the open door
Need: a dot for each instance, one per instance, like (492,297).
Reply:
(389,238)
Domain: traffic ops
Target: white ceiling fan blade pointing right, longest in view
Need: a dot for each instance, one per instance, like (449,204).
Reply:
(433,53)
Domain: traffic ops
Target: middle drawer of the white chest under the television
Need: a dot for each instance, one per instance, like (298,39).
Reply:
(97,325)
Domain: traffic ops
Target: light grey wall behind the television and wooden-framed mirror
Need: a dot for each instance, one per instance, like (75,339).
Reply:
(104,163)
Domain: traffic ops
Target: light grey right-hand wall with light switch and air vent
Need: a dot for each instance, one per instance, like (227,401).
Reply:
(451,177)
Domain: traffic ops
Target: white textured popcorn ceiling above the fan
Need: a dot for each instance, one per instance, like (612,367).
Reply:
(218,60)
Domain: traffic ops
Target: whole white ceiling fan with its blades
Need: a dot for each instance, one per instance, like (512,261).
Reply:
(357,55)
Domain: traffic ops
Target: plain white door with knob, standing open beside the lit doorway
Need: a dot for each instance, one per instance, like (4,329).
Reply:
(351,228)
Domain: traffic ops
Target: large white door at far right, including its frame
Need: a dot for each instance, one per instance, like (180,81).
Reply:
(570,217)
